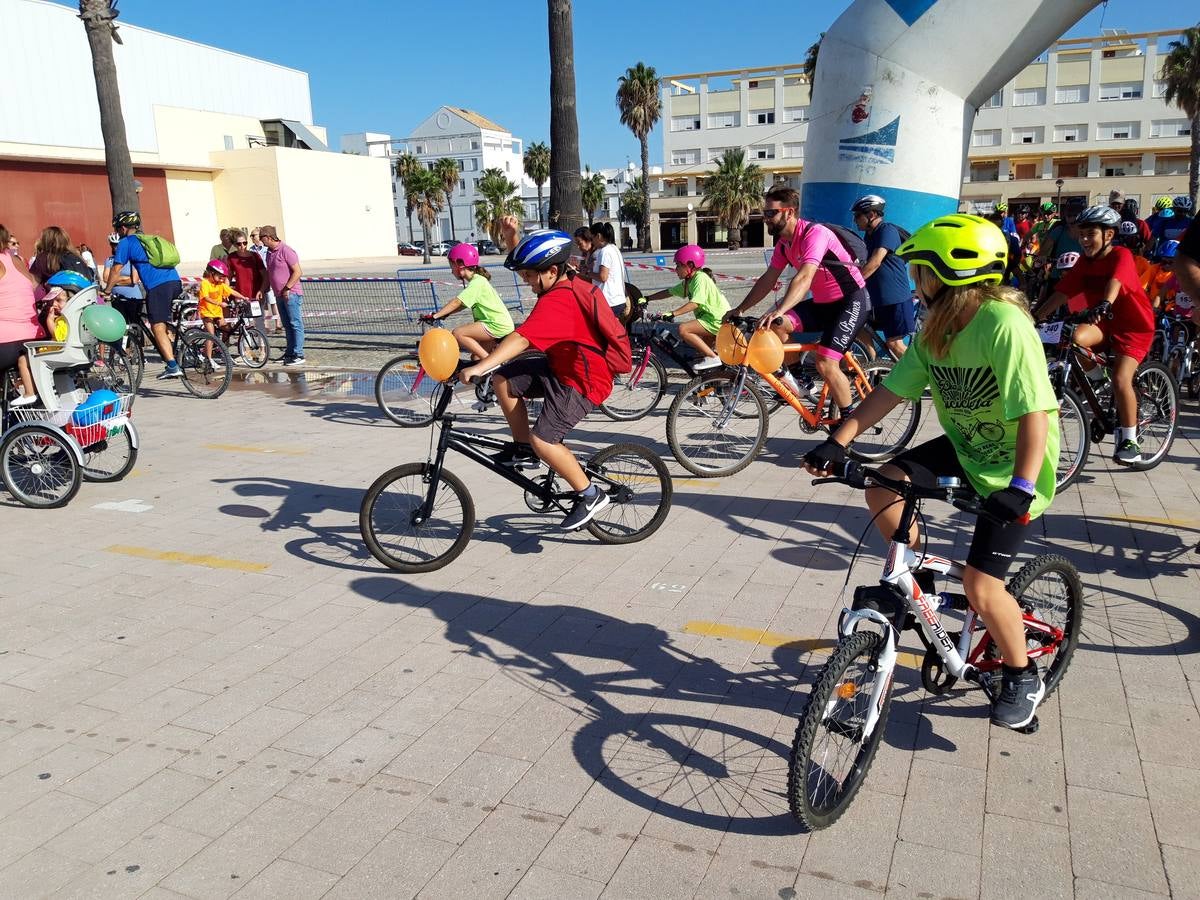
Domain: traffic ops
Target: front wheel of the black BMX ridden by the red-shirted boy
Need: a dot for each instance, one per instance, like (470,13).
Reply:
(395,539)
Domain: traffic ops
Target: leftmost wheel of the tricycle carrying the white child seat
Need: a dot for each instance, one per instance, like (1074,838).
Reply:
(39,466)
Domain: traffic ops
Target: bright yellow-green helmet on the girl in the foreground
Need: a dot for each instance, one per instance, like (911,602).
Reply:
(961,250)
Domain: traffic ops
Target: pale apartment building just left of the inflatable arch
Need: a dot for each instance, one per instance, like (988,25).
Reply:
(763,111)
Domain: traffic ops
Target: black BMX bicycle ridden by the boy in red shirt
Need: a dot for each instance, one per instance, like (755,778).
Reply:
(419,517)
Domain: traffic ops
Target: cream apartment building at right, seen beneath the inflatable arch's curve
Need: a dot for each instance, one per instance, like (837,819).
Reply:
(1085,118)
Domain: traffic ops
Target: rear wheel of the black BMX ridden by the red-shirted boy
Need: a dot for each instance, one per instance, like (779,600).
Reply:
(639,489)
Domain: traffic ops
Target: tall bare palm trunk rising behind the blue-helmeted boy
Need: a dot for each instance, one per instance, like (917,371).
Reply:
(566,209)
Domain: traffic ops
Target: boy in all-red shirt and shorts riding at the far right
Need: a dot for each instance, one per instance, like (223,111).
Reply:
(1107,274)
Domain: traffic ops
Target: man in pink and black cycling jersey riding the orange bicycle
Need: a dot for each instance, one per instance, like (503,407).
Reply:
(839,305)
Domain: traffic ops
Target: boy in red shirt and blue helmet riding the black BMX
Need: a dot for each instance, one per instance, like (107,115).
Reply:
(573,379)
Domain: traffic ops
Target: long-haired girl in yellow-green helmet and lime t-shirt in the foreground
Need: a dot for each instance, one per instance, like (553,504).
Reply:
(983,362)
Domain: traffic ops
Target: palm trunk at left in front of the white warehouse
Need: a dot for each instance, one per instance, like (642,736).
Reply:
(100,22)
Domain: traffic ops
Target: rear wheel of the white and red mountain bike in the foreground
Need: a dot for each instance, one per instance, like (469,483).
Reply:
(1049,590)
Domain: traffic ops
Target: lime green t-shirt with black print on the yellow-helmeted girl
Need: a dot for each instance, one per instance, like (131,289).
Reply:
(994,374)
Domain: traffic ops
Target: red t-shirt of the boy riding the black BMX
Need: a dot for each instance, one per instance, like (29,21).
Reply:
(559,328)
